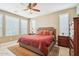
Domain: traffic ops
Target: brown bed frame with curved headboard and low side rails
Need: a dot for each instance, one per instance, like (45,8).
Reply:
(36,50)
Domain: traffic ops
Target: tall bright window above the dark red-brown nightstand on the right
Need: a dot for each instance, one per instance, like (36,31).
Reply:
(64,24)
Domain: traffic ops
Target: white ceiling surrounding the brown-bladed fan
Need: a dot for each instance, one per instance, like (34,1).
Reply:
(45,8)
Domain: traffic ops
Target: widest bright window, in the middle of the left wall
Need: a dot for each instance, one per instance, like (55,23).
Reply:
(12,26)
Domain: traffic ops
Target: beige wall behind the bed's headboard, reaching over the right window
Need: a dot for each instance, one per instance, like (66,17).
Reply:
(52,20)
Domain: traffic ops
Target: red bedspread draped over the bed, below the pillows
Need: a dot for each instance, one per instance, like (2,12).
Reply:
(41,42)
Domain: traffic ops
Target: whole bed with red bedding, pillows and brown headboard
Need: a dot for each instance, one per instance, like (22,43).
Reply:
(40,43)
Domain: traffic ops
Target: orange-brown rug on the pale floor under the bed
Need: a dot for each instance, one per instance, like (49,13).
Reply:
(19,51)
